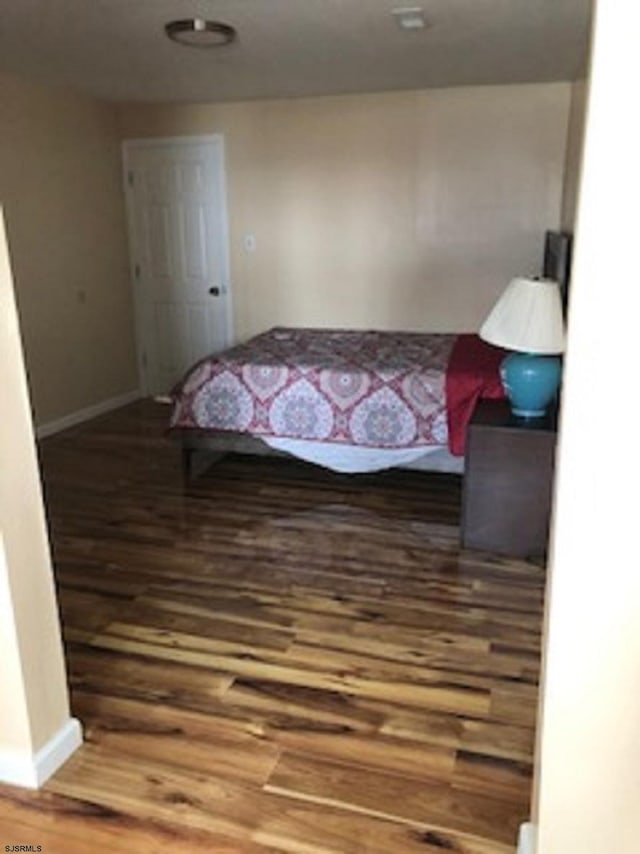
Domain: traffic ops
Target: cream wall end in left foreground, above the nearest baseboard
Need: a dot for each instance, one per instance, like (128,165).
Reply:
(33,690)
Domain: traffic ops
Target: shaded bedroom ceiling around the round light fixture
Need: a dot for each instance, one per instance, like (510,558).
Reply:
(117,49)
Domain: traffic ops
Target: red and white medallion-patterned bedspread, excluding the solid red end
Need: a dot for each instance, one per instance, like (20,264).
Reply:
(372,389)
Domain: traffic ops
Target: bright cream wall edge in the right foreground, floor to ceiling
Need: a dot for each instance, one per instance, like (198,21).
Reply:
(589,785)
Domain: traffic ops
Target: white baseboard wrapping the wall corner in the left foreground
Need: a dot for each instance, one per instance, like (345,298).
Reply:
(33,770)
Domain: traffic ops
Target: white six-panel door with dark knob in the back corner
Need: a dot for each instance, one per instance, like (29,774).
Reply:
(176,205)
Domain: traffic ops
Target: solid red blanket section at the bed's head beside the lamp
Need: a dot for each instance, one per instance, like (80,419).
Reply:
(472,373)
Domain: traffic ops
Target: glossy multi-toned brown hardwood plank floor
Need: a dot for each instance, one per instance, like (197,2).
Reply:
(278,659)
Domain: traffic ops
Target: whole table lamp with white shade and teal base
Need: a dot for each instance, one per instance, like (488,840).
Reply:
(528,320)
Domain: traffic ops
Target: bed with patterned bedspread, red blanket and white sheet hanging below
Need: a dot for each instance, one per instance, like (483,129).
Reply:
(352,401)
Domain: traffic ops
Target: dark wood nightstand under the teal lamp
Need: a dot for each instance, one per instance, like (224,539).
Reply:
(508,478)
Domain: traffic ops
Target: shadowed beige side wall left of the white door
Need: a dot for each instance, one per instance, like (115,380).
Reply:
(60,186)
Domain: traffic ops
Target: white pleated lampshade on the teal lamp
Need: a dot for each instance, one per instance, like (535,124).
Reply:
(527,318)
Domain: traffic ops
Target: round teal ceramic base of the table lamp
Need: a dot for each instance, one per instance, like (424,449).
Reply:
(531,382)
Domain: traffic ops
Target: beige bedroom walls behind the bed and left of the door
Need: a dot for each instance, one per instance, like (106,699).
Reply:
(401,210)
